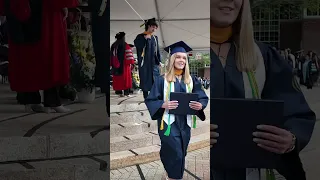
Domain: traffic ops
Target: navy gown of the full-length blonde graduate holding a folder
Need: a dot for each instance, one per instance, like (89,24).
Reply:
(173,147)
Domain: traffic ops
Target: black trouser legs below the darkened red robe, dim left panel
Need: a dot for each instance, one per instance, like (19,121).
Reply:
(50,98)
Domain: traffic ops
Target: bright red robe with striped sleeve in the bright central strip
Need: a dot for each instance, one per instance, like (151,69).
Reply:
(124,81)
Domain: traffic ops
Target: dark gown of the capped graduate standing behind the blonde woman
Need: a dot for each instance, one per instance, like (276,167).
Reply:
(151,58)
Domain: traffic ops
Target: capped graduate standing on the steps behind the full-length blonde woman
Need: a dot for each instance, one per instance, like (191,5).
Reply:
(149,58)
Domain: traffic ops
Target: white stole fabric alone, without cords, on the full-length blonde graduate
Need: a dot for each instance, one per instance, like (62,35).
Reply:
(166,112)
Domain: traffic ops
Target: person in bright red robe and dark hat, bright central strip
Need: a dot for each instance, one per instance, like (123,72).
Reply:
(121,79)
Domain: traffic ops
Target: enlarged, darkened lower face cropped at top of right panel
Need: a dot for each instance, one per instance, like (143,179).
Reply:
(223,13)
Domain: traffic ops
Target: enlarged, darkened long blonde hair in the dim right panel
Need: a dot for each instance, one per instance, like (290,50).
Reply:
(247,49)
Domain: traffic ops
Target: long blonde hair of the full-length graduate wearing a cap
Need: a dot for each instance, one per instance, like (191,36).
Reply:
(170,74)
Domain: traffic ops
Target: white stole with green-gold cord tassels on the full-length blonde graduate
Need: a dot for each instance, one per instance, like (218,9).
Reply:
(170,118)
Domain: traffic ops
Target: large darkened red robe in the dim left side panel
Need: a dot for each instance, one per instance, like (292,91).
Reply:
(44,64)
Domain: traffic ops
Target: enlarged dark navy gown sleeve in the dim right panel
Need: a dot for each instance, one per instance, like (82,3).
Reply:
(282,85)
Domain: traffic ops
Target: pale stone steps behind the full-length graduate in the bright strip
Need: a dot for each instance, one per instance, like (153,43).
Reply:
(134,136)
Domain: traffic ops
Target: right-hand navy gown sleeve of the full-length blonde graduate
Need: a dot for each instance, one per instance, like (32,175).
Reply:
(203,98)
